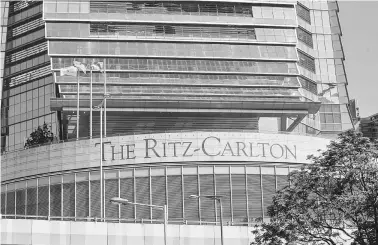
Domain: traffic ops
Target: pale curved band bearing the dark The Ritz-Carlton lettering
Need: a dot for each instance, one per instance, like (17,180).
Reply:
(200,146)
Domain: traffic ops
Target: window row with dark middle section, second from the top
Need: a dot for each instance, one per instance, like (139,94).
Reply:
(176,31)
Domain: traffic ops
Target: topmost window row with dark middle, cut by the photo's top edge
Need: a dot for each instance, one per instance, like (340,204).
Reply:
(194,8)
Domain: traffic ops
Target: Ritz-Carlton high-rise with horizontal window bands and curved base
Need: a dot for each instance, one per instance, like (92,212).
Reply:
(202,97)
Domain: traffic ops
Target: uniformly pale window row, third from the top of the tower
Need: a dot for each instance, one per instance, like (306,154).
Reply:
(197,50)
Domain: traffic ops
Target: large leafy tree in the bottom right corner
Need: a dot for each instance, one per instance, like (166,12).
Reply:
(332,201)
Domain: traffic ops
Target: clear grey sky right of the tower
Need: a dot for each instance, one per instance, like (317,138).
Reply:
(359,25)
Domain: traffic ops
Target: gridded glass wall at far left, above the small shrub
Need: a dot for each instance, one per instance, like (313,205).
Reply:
(27,80)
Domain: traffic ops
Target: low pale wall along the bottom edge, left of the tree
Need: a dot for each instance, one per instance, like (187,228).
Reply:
(90,233)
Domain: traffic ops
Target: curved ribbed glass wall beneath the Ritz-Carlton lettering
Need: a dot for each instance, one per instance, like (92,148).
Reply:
(247,191)
